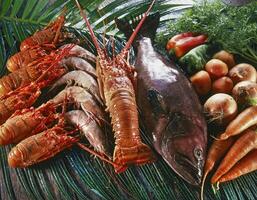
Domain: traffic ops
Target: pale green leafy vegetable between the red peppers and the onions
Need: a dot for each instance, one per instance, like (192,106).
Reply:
(195,59)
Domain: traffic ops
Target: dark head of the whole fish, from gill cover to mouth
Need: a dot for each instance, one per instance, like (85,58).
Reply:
(183,146)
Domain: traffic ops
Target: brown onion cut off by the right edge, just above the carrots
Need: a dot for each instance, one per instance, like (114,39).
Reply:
(245,93)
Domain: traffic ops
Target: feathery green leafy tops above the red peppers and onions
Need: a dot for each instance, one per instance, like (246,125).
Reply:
(233,28)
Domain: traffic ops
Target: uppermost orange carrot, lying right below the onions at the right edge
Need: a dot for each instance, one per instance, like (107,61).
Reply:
(244,120)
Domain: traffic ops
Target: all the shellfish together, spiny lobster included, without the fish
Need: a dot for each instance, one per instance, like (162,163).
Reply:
(67,74)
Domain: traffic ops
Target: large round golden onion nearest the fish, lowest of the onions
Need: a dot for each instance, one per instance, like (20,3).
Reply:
(220,109)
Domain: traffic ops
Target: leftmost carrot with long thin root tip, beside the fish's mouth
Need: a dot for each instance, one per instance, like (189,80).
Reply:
(215,153)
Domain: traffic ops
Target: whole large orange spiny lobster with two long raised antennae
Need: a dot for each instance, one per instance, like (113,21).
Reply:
(117,80)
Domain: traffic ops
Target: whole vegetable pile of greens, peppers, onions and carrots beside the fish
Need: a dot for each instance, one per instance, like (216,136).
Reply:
(225,81)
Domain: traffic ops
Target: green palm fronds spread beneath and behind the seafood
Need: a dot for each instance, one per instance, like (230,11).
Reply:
(75,174)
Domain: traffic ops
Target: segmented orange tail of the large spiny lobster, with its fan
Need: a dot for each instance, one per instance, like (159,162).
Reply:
(129,148)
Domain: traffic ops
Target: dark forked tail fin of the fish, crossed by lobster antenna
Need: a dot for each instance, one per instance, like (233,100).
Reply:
(148,29)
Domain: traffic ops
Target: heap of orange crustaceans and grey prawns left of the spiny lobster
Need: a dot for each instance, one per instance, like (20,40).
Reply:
(67,73)
